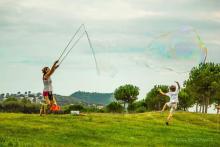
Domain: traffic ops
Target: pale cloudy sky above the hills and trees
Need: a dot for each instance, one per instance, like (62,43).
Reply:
(34,33)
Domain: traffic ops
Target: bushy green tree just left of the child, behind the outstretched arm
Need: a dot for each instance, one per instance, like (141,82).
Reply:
(154,100)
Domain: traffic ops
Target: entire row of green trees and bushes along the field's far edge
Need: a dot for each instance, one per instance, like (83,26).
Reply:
(201,89)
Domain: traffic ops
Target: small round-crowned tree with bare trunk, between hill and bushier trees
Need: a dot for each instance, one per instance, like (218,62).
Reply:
(126,93)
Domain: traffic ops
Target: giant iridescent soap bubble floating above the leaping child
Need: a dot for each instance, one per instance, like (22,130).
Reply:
(176,51)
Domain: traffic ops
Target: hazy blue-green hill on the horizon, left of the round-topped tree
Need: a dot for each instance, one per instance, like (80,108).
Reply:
(93,97)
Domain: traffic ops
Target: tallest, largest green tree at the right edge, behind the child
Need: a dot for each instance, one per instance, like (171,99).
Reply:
(203,84)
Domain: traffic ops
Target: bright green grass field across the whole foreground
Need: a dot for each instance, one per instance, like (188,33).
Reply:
(146,129)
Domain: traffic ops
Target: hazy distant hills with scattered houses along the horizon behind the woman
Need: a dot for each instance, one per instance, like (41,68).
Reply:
(92,99)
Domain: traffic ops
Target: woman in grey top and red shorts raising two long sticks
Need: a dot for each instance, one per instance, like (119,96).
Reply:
(48,89)
